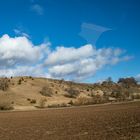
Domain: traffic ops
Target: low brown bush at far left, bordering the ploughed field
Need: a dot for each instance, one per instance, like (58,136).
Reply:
(5,105)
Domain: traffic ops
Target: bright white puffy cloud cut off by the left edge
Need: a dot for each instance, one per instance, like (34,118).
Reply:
(18,52)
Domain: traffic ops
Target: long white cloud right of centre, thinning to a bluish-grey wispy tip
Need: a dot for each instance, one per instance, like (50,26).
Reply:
(81,63)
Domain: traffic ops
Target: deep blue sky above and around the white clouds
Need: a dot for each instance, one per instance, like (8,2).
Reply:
(60,23)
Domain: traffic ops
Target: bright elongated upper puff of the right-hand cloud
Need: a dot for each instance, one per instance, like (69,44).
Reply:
(64,55)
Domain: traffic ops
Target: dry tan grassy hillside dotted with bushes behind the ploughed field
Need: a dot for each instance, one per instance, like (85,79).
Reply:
(29,92)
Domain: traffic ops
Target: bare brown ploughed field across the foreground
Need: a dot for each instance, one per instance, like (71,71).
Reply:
(108,122)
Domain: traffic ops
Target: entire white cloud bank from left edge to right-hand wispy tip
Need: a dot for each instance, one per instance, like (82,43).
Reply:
(19,57)
